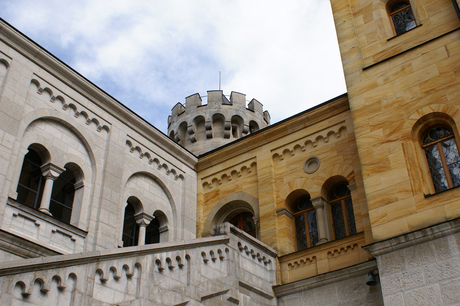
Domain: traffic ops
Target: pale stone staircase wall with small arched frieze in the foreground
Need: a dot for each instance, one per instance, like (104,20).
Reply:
(229,269)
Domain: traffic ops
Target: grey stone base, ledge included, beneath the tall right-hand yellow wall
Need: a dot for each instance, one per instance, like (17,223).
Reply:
(421,268)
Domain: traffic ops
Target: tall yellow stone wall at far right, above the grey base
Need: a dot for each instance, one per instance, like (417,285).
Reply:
(398,87)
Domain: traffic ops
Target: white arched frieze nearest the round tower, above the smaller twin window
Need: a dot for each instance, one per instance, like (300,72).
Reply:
(153,159)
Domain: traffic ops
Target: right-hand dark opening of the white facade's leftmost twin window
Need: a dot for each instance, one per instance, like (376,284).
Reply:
(62,196)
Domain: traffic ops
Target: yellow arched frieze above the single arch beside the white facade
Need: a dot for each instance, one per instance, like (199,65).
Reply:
(228,175)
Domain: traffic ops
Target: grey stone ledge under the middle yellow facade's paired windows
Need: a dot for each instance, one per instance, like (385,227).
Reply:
(324,279)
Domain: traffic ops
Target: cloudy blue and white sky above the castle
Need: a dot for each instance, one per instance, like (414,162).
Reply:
(151,54)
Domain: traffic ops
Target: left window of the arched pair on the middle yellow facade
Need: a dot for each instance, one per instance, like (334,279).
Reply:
(305,223)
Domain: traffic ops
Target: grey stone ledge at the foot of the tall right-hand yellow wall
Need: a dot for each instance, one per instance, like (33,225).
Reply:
(427,234)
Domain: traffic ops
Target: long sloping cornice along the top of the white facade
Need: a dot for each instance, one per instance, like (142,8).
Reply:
(83,86)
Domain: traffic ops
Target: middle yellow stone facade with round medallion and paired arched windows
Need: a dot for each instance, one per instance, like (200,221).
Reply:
(264,175)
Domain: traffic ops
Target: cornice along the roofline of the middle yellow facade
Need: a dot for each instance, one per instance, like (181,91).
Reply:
(273,132)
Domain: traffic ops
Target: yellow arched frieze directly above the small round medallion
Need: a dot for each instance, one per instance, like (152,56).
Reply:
(330,134)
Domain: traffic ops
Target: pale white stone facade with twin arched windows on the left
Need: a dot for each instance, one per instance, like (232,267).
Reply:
(46,105)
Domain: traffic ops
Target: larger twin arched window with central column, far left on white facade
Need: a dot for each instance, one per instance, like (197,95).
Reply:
(32,184)
